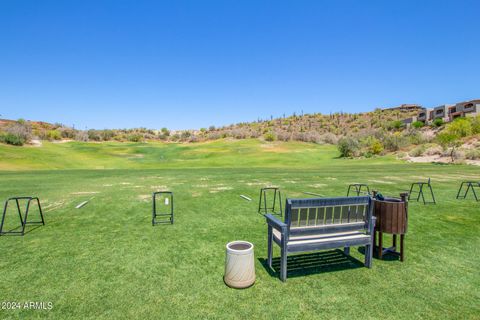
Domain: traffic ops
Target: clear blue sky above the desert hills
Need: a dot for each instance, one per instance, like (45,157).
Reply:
(191,64)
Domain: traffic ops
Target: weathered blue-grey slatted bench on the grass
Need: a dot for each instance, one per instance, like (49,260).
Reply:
(321,224)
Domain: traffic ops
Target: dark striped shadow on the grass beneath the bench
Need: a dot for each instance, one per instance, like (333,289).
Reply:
(313,263)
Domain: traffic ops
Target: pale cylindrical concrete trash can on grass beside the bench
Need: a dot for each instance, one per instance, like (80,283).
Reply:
(239,265)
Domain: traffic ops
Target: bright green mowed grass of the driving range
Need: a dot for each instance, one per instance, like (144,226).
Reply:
(106,261)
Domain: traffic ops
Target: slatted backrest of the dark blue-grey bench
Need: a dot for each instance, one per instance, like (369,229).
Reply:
(323,212)
